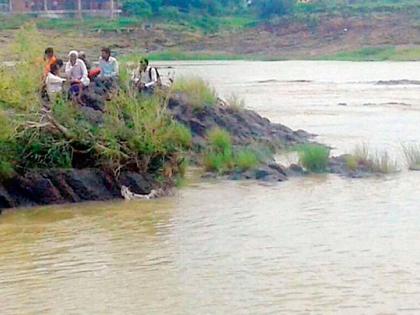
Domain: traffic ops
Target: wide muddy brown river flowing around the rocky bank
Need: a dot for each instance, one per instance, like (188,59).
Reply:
(315,245)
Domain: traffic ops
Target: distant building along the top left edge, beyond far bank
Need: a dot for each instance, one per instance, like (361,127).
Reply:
(51,7)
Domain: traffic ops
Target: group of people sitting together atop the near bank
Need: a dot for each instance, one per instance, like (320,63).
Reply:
(80,74)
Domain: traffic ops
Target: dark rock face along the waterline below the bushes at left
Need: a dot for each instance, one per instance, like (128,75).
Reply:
(69,186)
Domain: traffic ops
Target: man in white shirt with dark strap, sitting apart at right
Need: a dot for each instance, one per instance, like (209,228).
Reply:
(145,79)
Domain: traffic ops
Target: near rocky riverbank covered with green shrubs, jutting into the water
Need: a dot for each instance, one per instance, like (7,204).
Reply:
(64,151)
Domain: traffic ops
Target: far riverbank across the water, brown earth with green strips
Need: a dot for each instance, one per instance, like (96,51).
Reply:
(376,37)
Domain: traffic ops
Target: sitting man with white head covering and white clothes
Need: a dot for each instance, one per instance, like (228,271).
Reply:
(78,76)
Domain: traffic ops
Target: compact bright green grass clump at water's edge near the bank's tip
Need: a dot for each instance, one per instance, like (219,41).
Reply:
(314,157)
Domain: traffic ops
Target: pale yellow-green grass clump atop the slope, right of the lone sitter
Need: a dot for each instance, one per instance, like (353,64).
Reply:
(200,93)
